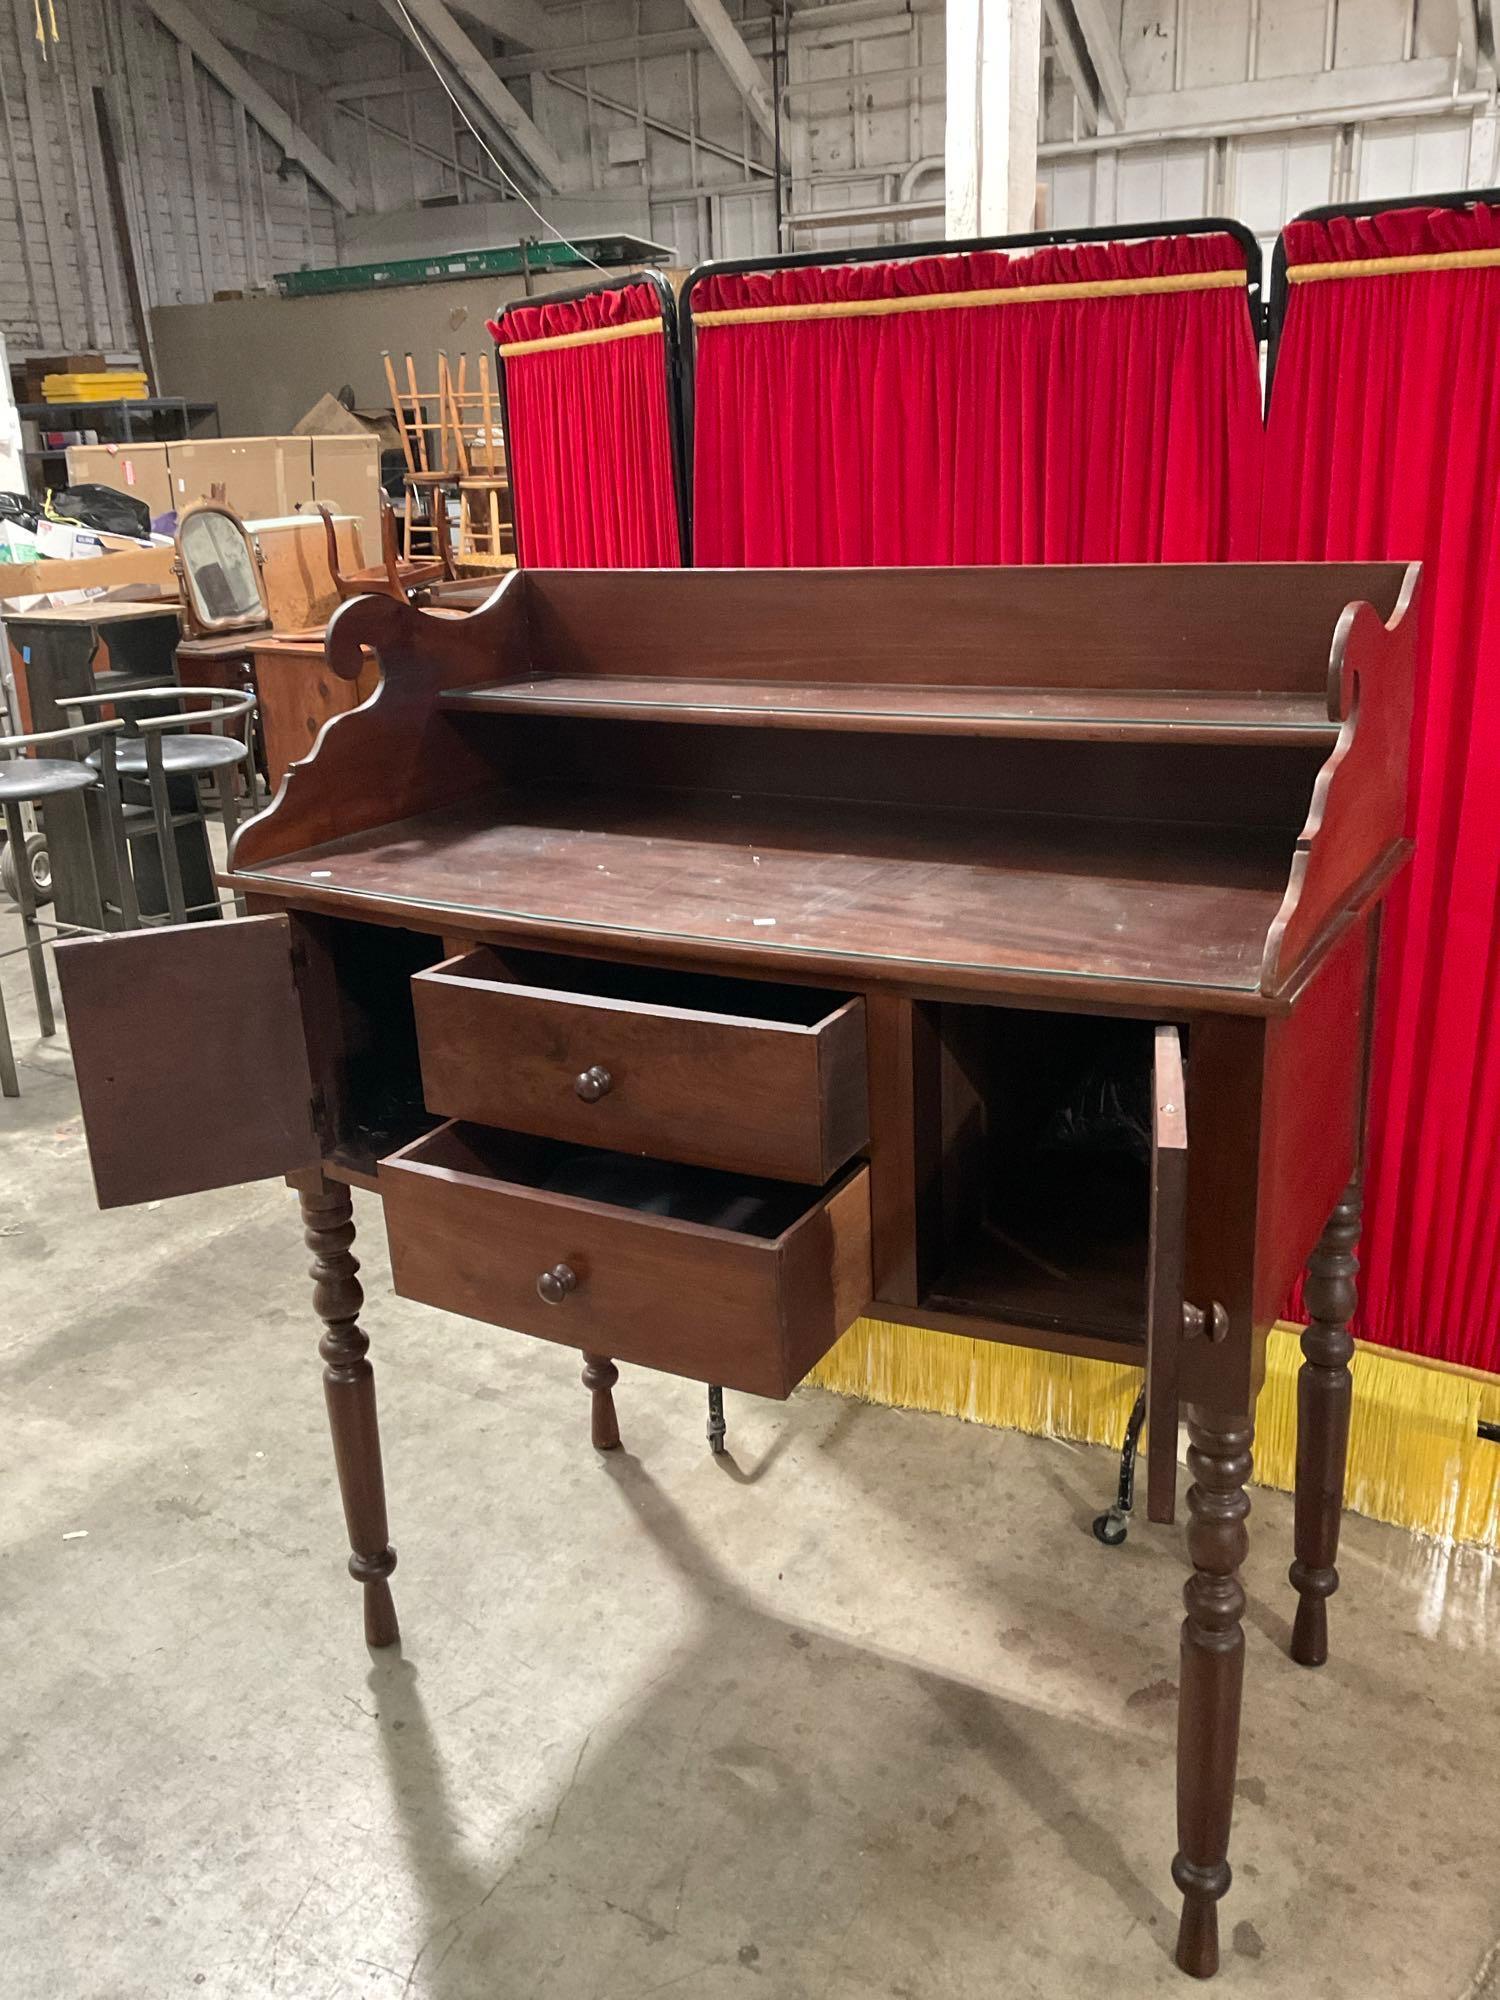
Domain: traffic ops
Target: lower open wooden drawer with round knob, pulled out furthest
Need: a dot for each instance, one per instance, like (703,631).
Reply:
(717,1277)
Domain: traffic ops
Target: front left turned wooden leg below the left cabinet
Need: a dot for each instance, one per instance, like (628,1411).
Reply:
(349,1387)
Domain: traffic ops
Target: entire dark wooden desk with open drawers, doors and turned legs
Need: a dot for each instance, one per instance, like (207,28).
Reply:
(695,961)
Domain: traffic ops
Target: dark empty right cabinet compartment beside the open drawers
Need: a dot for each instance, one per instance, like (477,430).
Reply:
(1041,1143)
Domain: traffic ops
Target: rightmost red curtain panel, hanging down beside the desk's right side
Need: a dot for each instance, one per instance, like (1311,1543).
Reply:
(1385,441)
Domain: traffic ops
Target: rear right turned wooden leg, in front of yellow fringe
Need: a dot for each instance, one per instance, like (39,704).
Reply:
(1323,1405)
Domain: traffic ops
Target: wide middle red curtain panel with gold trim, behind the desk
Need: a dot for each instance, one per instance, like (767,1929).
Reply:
(1101,429)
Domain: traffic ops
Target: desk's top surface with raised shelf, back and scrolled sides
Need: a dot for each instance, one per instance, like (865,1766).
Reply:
(1179,781)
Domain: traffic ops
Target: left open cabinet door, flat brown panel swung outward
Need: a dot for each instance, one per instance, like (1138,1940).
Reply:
(191,1059)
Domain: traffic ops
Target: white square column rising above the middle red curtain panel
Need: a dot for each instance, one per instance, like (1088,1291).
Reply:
(995,61)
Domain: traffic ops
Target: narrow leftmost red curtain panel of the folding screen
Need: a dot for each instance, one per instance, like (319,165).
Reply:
(591,435)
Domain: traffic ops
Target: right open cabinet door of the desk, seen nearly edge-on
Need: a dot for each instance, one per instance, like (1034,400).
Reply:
(1165,1277)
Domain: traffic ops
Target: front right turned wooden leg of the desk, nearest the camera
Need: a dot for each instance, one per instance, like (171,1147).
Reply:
(1213,1671)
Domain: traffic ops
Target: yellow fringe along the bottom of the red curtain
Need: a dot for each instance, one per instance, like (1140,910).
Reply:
(1415,1455)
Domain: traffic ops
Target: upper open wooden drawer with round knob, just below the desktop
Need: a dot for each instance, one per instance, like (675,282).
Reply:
(737,1075)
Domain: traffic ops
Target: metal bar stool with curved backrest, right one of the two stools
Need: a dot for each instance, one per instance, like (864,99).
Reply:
(159,749)
